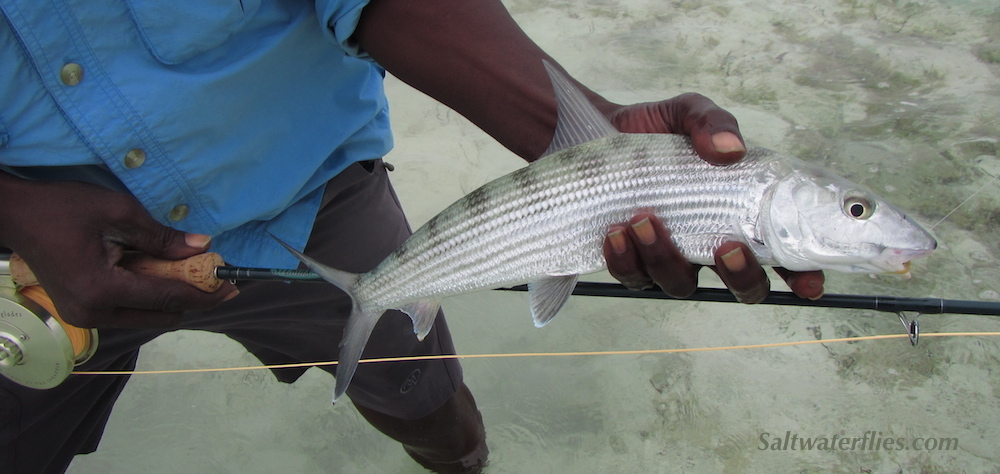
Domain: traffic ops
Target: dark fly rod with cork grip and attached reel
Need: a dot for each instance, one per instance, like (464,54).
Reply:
(39,350)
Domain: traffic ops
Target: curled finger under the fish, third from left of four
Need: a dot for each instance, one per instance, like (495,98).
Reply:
(738,268)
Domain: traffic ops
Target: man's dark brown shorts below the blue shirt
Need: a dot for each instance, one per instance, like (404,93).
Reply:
(360,223)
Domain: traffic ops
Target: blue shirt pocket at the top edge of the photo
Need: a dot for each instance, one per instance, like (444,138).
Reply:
(175,32)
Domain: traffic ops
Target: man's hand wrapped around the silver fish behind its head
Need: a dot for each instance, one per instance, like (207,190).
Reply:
(640,252)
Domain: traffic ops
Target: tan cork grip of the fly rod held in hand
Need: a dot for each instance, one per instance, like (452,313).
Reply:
(197,271)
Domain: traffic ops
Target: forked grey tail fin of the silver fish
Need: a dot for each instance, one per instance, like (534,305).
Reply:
(359,325)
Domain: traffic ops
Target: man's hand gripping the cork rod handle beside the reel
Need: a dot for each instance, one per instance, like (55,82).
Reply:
(72,235)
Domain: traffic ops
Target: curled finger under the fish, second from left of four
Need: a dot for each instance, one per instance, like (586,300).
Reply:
(661,259)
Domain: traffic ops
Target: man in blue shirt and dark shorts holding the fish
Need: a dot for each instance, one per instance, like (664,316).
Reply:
(169,128)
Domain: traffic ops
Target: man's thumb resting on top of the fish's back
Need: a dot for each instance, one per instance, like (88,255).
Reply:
(714,132)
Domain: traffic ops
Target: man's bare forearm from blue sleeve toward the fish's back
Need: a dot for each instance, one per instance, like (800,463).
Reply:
(471,56)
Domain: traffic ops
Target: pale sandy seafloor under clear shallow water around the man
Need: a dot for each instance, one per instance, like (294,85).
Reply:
(900,96)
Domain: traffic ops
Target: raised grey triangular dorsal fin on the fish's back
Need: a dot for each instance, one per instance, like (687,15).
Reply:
(578,120)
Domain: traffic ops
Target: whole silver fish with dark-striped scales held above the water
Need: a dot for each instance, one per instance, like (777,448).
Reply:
(545,224)
